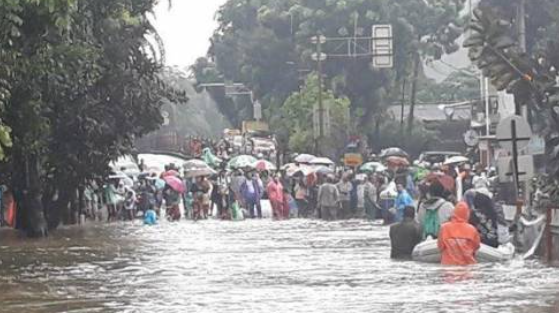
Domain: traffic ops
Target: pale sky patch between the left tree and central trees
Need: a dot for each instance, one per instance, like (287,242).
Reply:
(186,28)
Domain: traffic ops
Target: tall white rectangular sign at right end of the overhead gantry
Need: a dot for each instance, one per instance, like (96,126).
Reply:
(382,46)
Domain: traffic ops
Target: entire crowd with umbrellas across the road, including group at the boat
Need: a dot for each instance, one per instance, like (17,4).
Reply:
(452,204)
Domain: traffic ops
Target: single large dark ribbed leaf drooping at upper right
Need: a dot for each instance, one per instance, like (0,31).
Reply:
(493,51)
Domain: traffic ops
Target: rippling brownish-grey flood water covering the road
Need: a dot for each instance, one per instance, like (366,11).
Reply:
(252,266)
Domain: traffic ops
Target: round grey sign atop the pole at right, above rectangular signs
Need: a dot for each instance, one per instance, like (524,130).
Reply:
(505,129)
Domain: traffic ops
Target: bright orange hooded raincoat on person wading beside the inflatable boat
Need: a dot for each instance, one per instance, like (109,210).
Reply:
(458,240)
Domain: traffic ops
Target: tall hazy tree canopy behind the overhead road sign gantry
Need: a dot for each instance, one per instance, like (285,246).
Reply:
(265,43)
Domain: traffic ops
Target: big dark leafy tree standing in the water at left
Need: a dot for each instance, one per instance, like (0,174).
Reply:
(83,86)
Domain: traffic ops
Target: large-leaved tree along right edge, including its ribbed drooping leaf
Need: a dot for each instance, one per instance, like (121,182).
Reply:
(531,78)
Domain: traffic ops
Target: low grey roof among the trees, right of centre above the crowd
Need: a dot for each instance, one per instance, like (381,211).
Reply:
(430,112)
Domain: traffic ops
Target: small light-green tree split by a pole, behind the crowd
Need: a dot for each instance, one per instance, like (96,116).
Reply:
(296,115)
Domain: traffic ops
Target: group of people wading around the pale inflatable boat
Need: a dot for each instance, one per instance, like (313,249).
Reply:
(459,218)
